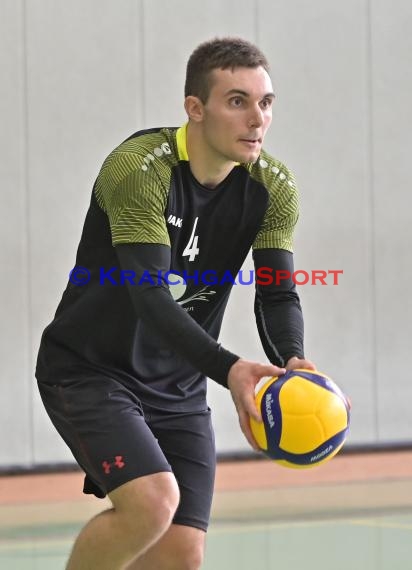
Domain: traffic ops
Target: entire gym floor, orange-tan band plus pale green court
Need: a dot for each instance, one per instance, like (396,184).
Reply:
(353,513)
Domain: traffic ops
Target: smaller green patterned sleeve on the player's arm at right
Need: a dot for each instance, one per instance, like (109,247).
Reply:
(282,212)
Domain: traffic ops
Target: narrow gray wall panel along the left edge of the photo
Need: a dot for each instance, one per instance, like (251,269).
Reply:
(15,401)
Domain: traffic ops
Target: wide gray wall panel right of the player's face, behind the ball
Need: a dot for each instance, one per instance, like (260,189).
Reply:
(321,130)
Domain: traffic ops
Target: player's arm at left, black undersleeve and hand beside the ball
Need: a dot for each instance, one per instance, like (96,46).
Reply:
(154,304)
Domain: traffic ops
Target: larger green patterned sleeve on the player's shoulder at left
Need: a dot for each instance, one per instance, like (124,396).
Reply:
(134,199)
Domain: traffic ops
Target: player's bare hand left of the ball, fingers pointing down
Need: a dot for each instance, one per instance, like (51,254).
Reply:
(242,379)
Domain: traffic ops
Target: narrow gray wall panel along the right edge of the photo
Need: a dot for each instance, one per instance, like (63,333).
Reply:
(391,70)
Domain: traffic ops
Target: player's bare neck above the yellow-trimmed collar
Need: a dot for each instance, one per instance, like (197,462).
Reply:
(207,167)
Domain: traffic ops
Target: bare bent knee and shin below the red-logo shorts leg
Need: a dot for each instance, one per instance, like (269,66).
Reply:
(142,512)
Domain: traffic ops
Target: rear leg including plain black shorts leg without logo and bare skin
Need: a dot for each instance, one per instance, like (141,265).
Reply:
(188,443)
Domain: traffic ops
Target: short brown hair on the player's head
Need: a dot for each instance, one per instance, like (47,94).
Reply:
(219,53)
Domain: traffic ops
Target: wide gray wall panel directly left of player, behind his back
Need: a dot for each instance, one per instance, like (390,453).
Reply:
(84,99)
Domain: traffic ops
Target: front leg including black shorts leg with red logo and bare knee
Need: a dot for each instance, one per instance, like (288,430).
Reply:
(103,425)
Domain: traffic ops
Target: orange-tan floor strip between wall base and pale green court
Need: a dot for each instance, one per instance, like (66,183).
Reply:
(349,483)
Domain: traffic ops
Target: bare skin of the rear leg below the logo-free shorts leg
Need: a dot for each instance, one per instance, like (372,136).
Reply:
(180,548)
